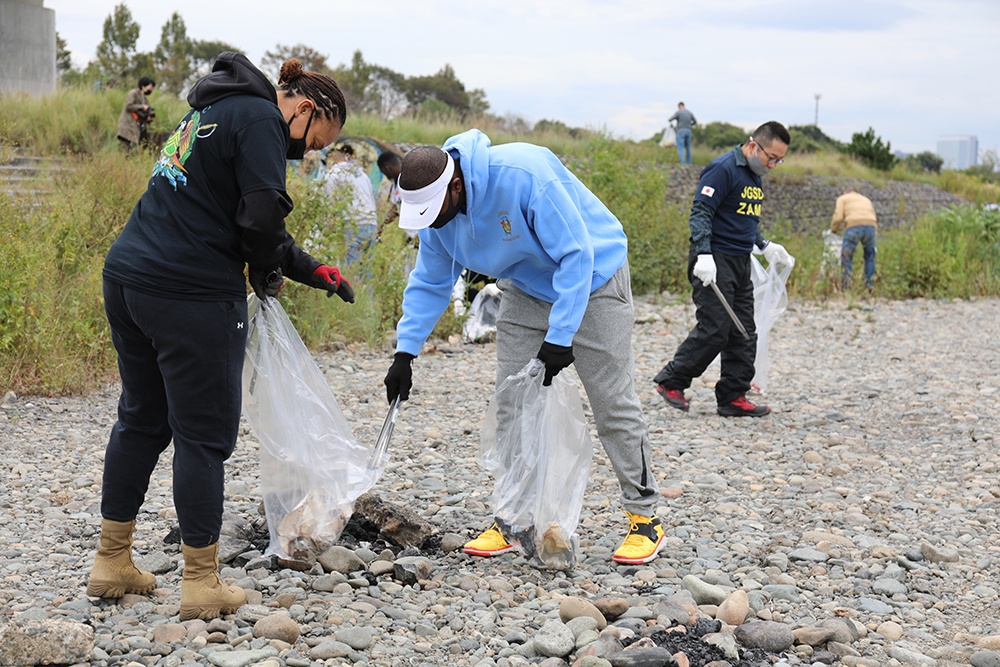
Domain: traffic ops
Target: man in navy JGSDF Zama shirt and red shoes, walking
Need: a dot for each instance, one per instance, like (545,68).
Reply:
(725,229)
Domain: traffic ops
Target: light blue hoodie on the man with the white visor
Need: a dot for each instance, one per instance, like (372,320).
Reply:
(527,219)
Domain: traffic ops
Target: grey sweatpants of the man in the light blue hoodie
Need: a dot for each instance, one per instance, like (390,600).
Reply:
(602,347)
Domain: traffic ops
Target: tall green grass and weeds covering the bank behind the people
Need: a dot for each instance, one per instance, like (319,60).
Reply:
(53,333)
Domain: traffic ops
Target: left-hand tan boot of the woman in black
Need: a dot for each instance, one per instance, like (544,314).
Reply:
(114,574)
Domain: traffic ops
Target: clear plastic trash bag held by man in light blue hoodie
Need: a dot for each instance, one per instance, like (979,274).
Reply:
(536,442)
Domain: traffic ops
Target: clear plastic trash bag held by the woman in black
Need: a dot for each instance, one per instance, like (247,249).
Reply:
(312,468)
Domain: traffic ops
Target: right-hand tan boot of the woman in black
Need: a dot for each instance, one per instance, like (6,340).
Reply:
(203,595)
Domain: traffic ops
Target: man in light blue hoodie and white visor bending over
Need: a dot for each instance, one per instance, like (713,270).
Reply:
(515,212)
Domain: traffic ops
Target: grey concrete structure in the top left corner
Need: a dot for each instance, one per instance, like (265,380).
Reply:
(27,47)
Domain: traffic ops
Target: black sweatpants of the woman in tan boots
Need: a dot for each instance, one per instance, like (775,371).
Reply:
(181,364)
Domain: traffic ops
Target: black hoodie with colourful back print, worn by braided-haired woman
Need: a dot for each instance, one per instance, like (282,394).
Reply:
(216,200)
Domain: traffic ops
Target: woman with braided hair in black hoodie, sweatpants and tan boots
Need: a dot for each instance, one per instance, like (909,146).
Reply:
(175,296)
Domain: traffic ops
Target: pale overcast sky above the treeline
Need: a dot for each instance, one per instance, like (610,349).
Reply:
(912,69)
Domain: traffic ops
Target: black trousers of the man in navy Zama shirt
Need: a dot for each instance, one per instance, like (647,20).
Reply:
(715,333)
